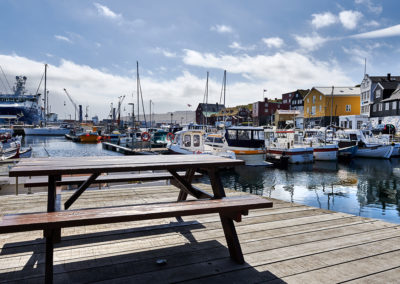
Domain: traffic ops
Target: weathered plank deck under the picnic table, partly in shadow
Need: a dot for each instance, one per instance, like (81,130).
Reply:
(288,243)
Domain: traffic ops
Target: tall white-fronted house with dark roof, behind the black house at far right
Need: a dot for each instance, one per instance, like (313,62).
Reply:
(367,88)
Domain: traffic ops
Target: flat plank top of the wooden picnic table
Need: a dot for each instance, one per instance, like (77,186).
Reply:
(105,164)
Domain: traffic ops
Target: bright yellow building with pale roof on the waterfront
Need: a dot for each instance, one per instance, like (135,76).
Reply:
(322,103)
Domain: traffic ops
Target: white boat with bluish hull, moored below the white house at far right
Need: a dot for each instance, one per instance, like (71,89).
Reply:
(368,147)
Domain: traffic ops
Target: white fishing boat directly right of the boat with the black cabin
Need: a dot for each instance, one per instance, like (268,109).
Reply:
(289,144)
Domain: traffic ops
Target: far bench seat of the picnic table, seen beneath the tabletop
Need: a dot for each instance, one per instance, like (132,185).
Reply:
(114,178)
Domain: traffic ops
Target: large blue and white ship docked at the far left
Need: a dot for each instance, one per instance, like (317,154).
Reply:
(19,106)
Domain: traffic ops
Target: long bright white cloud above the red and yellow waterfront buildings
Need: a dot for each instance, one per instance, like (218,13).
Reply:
(280,72)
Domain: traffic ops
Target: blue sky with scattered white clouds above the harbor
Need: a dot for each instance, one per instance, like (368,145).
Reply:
(267,48)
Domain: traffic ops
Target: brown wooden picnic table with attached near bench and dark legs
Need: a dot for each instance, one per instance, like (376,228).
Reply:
(229,208)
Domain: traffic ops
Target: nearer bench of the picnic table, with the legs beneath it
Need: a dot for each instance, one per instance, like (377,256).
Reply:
(229,208)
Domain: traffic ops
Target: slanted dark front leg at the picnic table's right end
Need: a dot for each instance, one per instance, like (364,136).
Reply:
(231,237)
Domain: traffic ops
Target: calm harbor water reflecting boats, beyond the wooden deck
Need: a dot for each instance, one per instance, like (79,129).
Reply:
(363,187)
